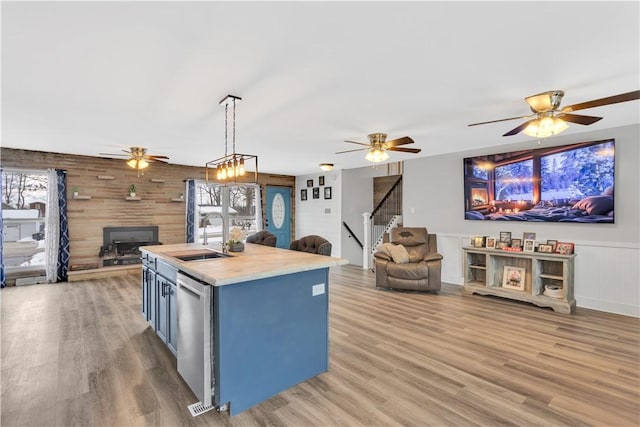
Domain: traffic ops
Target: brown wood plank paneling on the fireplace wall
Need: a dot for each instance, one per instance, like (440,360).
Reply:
(108,207)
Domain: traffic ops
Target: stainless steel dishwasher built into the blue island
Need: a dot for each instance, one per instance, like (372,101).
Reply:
(195,337)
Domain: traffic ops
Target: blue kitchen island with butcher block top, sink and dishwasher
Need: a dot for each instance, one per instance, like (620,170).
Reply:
(243,327)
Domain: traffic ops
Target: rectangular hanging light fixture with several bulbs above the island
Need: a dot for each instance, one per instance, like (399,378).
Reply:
(231,167)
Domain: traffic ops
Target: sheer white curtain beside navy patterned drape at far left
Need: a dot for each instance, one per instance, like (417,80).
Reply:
(52,226)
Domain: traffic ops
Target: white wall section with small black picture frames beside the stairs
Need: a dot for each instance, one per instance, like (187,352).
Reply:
(320,216)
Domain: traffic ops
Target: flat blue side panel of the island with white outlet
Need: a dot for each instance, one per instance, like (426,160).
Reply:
(270,334)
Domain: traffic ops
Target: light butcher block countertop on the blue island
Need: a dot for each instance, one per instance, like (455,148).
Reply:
(255,262)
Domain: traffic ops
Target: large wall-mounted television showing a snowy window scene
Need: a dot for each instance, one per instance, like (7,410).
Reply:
(568,183)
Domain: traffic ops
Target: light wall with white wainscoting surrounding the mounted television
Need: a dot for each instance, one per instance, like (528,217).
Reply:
(607,268)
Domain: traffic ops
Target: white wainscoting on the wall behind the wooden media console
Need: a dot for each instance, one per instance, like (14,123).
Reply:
(607,274)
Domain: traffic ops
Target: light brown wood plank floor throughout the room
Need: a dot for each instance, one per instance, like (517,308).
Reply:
(80,354)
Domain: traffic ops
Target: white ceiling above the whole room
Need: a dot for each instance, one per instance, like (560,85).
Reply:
(89,77)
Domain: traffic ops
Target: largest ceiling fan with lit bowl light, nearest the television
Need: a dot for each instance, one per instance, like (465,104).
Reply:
(548,119)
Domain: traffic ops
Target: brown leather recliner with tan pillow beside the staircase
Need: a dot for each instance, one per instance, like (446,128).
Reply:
(419,267)
